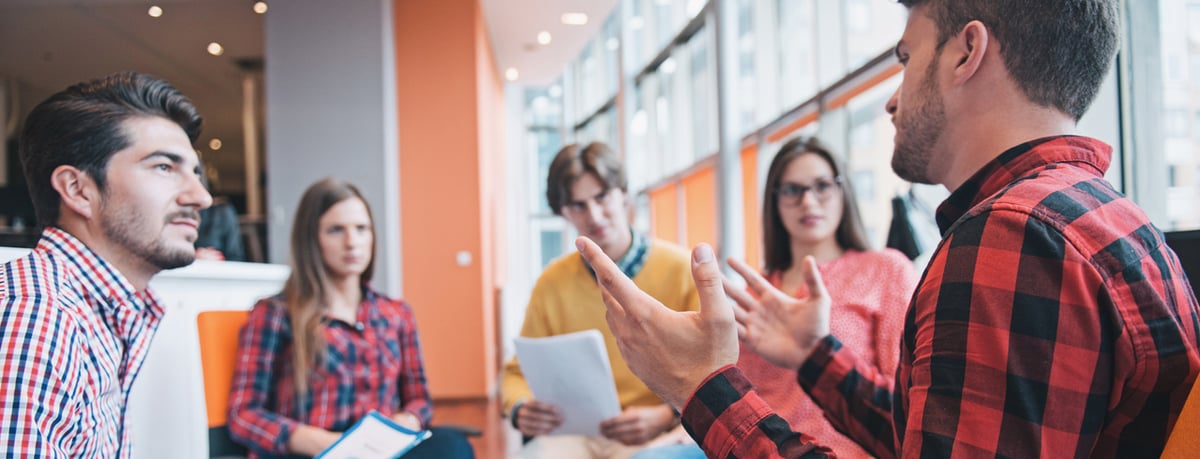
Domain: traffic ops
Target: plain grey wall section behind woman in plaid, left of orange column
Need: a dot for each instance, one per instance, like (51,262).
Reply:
(331,111)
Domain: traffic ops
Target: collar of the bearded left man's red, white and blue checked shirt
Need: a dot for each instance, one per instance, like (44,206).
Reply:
(99,277)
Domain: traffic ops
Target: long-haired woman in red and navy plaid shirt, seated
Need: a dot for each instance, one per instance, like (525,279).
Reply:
(320,356)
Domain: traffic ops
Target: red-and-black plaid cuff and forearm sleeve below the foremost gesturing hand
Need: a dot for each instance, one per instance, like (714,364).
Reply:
(729,420)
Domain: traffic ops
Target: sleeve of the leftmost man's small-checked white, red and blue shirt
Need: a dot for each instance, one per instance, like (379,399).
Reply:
(41,385)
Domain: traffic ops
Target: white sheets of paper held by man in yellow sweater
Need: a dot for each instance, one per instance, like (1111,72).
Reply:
(572,372)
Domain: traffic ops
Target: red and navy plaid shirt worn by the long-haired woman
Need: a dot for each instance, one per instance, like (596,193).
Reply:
(373,365)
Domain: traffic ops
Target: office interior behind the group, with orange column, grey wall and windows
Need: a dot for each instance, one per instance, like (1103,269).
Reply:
(447,114)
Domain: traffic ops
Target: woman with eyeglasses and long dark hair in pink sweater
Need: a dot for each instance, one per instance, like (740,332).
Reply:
(809,210)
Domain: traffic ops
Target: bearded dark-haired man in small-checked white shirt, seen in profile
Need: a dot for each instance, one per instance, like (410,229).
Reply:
(116,183)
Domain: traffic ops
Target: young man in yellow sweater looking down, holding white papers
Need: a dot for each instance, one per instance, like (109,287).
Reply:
(587,187)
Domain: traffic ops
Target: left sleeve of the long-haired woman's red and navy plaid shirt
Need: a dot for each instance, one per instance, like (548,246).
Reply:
(260,343)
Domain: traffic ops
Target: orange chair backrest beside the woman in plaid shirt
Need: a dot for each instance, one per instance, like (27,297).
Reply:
(219,351)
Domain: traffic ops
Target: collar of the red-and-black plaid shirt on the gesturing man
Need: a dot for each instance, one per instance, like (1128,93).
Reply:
(1017,163)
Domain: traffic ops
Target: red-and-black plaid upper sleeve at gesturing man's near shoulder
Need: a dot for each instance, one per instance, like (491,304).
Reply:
(1011,354)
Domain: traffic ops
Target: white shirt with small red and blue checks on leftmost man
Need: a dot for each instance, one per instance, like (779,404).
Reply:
(74,333)
